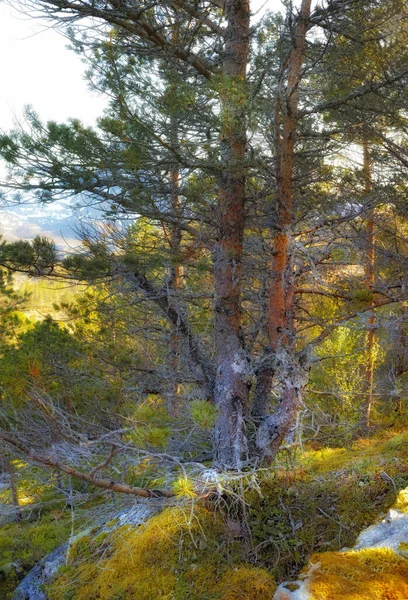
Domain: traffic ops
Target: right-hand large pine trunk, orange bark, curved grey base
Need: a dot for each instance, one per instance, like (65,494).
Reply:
(288,371)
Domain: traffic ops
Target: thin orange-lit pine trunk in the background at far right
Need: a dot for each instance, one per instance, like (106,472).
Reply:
(369,277)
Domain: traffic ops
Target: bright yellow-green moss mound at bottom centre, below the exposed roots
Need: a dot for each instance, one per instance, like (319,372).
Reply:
(176,555)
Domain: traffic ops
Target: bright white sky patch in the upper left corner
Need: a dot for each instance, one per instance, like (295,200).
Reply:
(37,68)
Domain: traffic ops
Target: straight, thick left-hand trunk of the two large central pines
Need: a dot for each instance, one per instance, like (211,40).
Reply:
(231,383)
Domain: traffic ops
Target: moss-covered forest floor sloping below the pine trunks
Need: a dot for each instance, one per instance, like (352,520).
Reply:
(261,533)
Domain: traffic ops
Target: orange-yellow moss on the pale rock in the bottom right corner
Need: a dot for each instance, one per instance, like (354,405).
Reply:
(371,574)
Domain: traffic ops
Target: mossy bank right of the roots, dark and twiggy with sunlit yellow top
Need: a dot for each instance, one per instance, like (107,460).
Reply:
(325,501)
